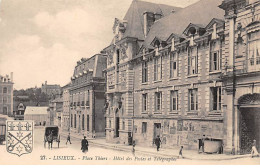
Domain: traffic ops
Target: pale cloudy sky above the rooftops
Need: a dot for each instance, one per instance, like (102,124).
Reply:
(41,40)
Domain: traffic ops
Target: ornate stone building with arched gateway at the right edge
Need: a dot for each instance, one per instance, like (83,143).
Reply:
(242,74)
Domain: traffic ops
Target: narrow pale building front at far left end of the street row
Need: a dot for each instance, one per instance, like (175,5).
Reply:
(66,108)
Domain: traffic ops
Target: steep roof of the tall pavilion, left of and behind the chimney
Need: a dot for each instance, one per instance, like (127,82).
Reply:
(134,16)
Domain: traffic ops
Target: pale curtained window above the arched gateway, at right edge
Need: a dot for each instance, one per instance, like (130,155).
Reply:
(254,50)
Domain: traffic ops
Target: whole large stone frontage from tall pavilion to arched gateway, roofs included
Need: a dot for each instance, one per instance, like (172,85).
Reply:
(177,81)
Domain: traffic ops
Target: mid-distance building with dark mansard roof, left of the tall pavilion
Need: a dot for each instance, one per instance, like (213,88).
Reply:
(87,97)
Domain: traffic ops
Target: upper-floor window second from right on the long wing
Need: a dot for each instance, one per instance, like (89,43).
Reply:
(192,61)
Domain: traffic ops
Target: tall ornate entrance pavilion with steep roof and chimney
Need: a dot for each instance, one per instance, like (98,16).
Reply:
(129,35)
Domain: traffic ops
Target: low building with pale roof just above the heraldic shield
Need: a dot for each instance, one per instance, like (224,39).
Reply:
(37,114)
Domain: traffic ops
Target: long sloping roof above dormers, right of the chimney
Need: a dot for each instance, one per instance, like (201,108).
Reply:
(200,13)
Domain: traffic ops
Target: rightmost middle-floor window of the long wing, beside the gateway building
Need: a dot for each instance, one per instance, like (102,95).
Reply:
(215,98)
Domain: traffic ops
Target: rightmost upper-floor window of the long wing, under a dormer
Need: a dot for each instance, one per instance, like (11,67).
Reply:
(215,57)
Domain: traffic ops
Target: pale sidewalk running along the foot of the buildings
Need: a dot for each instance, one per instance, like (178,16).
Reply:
(187,154)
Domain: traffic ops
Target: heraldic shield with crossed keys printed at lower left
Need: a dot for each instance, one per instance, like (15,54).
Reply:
(19,137)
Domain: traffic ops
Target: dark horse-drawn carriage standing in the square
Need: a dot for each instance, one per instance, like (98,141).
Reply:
(51,134)
